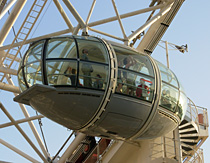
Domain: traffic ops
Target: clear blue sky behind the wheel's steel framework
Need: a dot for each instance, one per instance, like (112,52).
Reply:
(190,26)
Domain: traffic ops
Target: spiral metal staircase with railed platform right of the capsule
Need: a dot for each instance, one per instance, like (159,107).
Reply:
(193,130)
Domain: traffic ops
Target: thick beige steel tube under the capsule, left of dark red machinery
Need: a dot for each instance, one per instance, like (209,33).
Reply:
(72,147)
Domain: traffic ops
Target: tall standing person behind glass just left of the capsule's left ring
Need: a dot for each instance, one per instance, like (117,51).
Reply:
(87,69)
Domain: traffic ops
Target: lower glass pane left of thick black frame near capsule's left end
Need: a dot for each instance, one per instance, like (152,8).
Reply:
(33,73)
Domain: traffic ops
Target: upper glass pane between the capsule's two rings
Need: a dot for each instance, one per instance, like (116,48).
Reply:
(129,59)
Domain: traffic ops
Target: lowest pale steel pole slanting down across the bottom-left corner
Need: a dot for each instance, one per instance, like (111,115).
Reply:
(18,151)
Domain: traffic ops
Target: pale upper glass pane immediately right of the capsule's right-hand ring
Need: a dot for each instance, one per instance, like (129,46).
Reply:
(167,75)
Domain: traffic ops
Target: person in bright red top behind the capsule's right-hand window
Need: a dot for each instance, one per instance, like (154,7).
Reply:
(143,90)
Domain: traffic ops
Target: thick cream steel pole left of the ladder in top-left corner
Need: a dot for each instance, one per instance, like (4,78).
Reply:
(11,20)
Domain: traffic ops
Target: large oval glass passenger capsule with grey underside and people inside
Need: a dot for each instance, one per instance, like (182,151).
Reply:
(101,88)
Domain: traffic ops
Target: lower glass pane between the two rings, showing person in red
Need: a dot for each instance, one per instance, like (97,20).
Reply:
(135,84)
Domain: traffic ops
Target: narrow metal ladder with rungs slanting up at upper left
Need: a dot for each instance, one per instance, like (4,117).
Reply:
(23,32)
